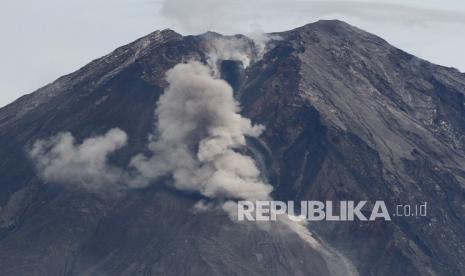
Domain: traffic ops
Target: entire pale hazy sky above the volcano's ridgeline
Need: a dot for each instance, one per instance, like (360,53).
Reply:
(42,40)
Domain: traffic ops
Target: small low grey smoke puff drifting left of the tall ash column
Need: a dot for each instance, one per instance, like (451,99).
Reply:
(59,159)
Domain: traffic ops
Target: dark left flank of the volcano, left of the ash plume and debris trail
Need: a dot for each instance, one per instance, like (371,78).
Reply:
(46,229)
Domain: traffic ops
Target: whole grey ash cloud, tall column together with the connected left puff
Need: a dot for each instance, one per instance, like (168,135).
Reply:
(199,132)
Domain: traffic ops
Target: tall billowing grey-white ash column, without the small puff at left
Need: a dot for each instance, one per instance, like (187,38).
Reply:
(199,134)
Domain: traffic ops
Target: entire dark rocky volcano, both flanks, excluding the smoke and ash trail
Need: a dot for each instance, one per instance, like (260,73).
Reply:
(347,116)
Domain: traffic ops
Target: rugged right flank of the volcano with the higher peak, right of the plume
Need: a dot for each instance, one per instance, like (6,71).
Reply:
(350,117)
